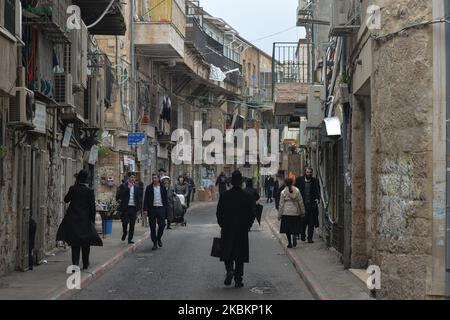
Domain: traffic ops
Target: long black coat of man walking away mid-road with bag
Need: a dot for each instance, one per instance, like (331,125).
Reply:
(235,215)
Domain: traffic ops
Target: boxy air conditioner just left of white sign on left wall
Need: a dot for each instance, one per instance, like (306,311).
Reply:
(20,107)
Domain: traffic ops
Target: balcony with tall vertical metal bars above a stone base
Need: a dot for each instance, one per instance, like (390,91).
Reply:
(291,79)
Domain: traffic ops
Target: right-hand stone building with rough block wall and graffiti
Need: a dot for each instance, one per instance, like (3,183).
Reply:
(382,77)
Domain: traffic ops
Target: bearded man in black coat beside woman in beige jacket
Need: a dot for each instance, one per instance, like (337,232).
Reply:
(310,190)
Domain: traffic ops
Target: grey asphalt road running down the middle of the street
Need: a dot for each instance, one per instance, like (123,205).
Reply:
(184,270)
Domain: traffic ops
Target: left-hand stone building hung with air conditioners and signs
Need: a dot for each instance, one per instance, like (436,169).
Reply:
(53,98)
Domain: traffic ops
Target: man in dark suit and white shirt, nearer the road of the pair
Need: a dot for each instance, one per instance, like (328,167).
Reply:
(155,206)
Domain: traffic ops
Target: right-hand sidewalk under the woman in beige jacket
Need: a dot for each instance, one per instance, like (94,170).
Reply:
(319,267)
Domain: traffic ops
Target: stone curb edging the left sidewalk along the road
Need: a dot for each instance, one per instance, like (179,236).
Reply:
(101,270)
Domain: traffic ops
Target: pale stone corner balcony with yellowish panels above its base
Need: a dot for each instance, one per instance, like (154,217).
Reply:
(161,28)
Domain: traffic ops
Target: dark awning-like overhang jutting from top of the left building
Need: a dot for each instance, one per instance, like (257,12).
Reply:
(112,24)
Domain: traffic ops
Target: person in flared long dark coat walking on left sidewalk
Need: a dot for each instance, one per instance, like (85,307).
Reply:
(78,225)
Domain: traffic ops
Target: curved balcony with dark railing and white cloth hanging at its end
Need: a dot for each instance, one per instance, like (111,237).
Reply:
(212,51)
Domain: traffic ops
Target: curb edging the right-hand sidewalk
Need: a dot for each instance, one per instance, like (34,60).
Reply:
(307,276)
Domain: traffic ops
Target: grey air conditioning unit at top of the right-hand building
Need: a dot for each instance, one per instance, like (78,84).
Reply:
(340,24)
